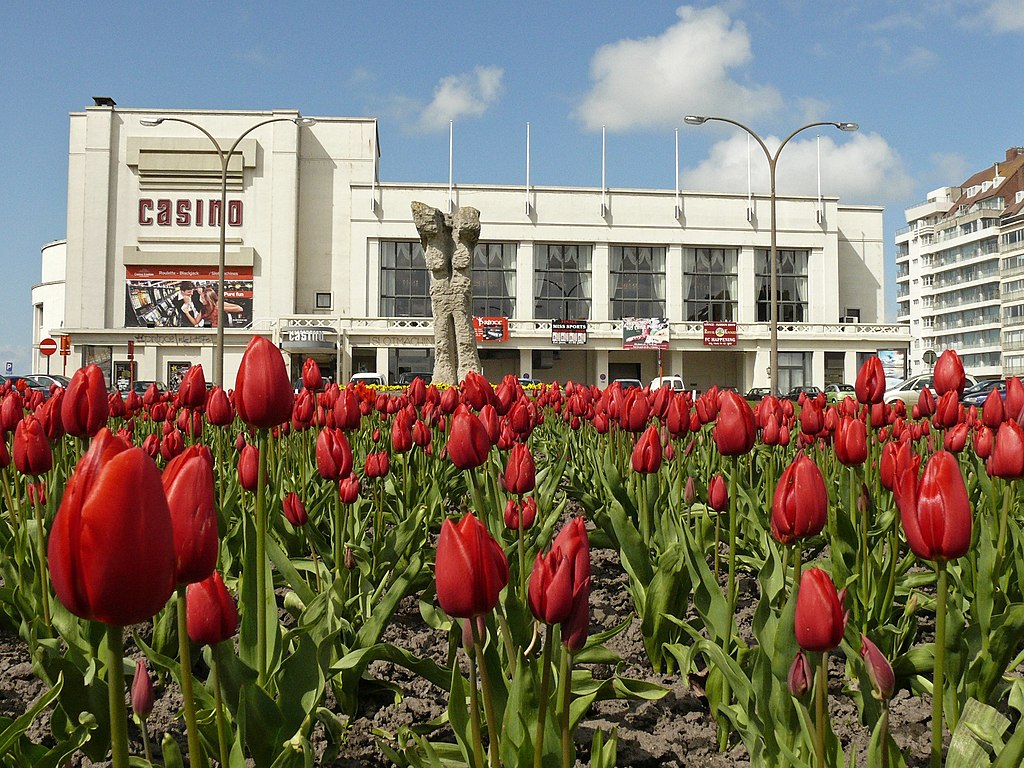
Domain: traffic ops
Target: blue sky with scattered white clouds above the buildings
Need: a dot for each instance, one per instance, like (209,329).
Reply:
(931,82)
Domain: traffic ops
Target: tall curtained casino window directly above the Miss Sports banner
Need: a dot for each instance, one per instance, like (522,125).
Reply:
(563,282)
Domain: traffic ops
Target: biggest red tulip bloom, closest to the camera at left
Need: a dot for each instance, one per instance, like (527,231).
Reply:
(112,546)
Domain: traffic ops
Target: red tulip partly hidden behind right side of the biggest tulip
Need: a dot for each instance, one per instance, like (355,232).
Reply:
(188,482)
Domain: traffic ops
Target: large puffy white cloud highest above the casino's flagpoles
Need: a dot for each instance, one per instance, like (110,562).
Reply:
(689,69)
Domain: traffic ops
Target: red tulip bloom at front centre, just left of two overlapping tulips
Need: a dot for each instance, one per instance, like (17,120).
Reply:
(471,569)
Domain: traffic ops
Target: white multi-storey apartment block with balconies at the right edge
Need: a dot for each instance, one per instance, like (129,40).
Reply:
(960,272)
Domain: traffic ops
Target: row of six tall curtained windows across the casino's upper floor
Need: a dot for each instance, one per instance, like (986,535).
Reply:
(563,282)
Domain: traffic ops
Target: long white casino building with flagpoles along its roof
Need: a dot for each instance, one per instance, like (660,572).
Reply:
(324,260)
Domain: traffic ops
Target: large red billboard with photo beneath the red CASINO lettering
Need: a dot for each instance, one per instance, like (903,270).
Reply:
(186,296)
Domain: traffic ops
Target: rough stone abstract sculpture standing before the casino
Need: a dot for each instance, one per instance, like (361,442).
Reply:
(448,248)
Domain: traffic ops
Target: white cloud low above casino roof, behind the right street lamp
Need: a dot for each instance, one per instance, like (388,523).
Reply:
(863,168)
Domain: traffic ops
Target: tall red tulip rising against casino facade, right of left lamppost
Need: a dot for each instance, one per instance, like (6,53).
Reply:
(263,390)
